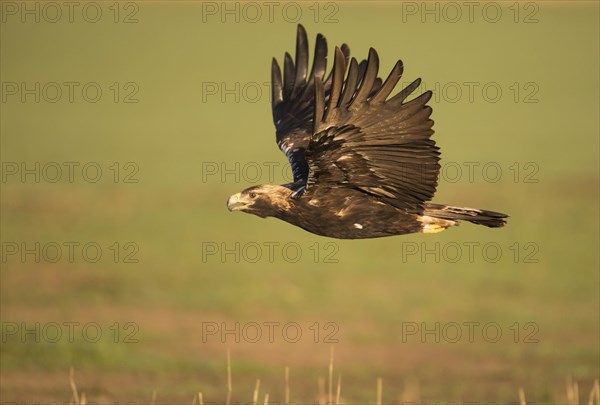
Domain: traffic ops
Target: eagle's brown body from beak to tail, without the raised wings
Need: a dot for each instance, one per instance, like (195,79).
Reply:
(352,214)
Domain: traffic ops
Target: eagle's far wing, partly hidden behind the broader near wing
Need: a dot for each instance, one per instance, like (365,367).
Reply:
(293,98)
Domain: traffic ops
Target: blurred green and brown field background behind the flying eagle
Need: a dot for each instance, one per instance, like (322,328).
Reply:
(184,92)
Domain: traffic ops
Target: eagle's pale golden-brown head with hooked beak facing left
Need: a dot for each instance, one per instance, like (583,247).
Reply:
(265,200)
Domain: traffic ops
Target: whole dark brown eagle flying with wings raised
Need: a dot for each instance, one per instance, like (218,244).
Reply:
(364,164)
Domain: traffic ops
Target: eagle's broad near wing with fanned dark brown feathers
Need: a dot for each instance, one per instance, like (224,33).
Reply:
(363,140)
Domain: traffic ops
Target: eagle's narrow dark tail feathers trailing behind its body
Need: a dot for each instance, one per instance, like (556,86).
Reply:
(448,213)
